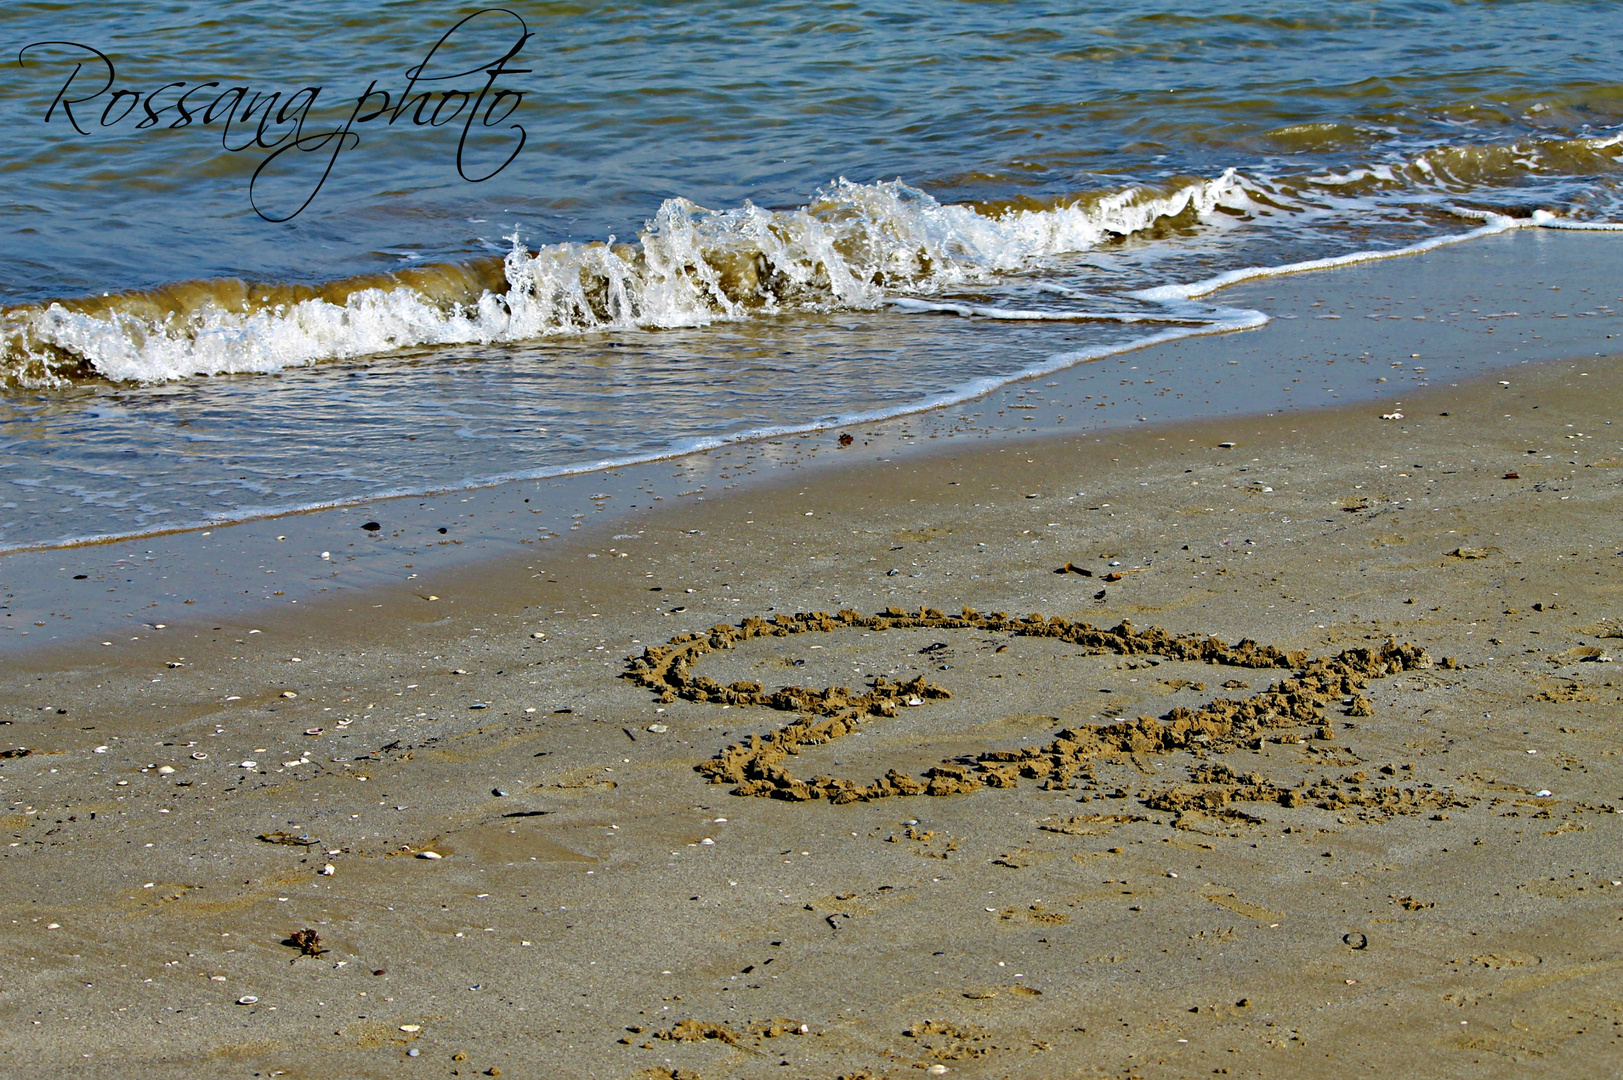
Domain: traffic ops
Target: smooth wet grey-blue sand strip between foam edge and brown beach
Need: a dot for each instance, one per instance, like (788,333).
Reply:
(220,571)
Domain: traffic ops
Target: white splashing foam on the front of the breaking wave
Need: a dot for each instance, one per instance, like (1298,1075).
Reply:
(856,246)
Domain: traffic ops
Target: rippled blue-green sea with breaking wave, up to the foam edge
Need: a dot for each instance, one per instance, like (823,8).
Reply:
(723,220)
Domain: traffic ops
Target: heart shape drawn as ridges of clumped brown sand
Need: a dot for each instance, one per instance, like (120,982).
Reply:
(1294,702)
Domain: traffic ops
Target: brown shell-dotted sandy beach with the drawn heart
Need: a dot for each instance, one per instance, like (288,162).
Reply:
(1379,837)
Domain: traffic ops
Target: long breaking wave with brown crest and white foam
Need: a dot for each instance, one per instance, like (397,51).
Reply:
(851,248)
